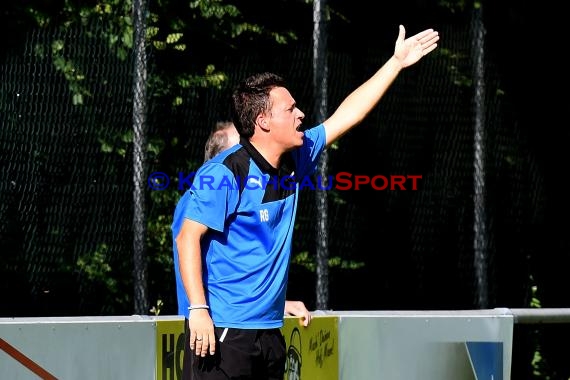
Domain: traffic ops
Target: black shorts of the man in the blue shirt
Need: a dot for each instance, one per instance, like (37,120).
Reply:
(240,354)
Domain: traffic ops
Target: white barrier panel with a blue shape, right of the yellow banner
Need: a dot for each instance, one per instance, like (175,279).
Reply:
(425,345)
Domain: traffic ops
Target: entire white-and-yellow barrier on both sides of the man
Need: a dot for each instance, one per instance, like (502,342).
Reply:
(345,345)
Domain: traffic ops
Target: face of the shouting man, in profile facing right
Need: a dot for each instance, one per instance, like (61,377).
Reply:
(285,119)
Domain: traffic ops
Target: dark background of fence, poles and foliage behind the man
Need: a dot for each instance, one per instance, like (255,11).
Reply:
(97,95)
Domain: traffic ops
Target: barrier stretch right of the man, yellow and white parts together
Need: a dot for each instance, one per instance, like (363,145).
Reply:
(427,345)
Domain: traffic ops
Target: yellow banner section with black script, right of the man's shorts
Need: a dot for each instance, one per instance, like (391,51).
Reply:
(312,352)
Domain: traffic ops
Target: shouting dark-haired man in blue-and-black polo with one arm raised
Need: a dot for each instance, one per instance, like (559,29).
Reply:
(233,228)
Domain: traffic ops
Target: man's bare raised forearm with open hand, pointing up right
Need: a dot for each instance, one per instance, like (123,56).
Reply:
(361,101)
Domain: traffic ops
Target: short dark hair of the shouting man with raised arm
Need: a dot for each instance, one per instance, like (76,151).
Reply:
(251,98)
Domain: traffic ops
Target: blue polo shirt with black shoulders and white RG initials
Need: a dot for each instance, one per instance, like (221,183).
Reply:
(249,208)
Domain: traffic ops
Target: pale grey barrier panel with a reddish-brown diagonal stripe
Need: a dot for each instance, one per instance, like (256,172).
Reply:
(78,348)
